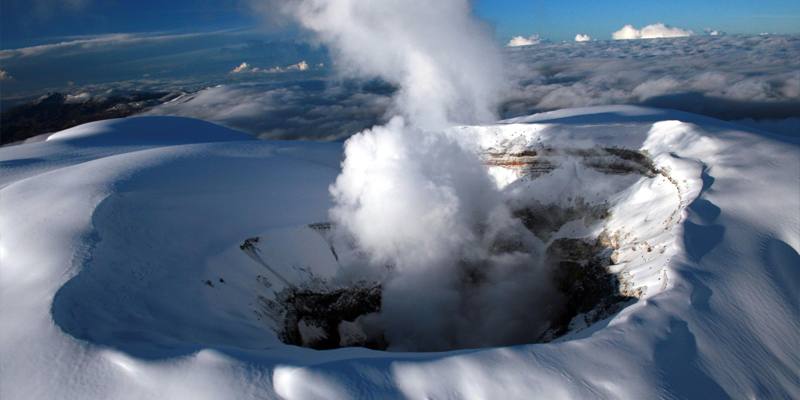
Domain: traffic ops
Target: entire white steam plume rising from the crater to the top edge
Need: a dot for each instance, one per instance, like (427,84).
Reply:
(416,196)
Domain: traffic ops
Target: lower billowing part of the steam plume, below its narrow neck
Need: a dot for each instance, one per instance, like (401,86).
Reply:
(423,203)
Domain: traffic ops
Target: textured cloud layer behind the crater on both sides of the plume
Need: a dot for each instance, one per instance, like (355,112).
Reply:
(729,77)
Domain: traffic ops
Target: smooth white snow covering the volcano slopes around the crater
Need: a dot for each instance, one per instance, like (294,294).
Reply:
(121,274)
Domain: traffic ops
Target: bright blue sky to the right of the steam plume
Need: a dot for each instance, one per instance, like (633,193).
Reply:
(561,20)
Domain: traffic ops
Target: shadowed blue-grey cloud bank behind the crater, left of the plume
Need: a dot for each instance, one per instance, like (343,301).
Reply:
(313,110)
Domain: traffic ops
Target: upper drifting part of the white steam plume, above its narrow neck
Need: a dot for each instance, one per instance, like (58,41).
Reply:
(444,61)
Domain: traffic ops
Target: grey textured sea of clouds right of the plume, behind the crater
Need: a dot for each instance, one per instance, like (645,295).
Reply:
(729,77)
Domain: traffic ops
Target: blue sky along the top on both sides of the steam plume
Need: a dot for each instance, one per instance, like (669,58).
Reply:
(26,22)
